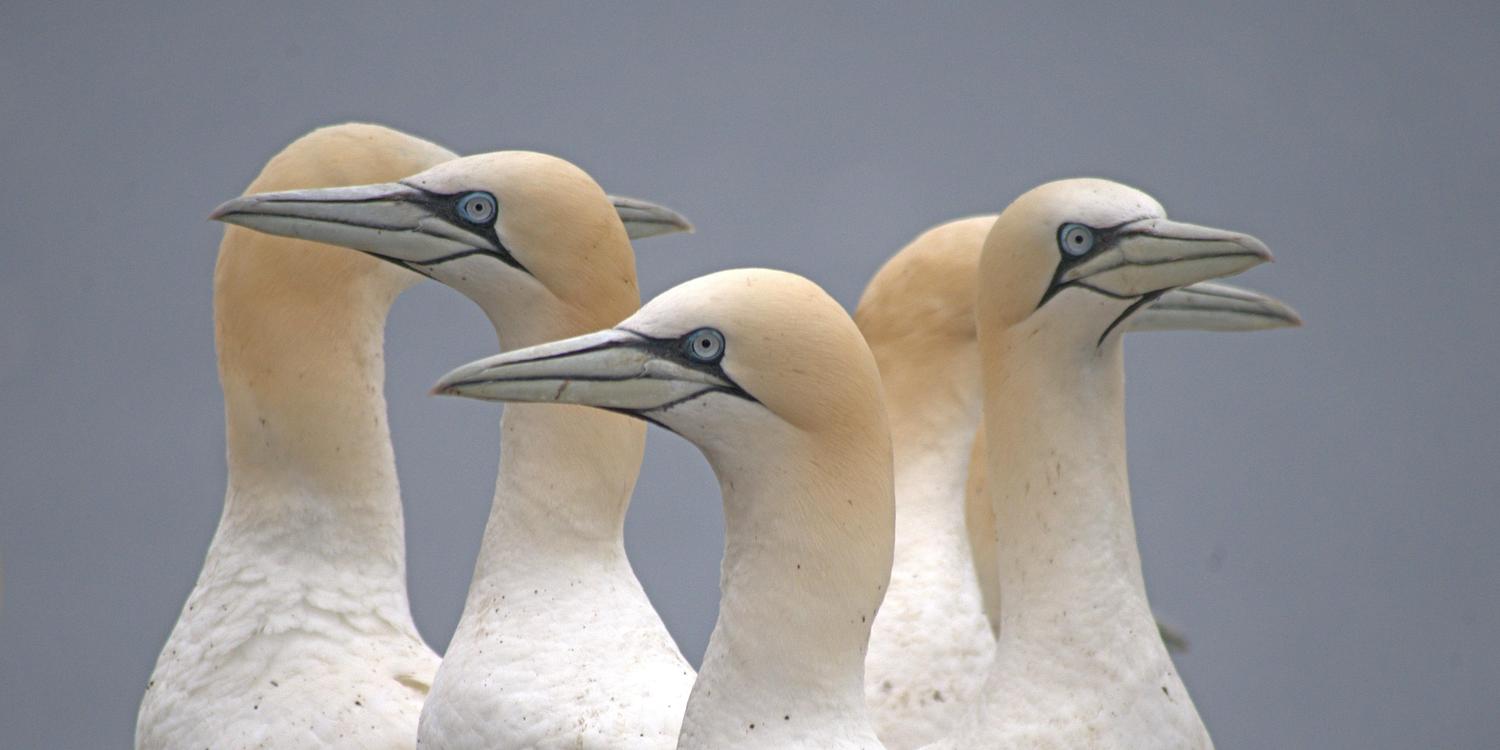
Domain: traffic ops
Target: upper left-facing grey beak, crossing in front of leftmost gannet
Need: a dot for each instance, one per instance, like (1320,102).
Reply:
(391,221)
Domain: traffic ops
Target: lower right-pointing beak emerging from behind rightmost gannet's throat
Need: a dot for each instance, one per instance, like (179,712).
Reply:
(1217,308)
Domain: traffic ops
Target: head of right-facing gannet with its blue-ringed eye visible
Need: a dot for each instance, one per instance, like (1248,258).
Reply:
(1090,254)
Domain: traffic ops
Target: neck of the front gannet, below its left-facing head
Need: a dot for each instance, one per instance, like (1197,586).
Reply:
(806,565)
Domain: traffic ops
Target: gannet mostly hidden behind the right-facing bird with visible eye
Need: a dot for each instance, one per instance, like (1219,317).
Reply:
(932,641)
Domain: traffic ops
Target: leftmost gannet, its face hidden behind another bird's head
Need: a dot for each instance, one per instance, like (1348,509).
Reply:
(299,632)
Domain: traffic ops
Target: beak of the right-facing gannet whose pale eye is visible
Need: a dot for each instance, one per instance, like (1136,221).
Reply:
(1154,256)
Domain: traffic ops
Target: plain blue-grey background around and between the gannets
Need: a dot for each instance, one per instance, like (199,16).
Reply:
(1318,509)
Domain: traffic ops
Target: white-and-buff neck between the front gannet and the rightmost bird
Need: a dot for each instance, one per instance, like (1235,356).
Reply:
(932,643)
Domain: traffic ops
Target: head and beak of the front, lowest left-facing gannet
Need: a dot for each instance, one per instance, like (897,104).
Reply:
(725,361)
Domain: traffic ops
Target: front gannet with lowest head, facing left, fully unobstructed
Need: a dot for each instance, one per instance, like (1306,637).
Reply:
(773,382)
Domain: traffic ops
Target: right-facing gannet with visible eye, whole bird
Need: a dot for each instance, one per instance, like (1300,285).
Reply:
(1078,661)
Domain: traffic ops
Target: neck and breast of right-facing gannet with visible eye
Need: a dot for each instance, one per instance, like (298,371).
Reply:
(1079,659)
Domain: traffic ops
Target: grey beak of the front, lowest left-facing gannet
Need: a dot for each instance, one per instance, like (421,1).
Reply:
(613,370)
